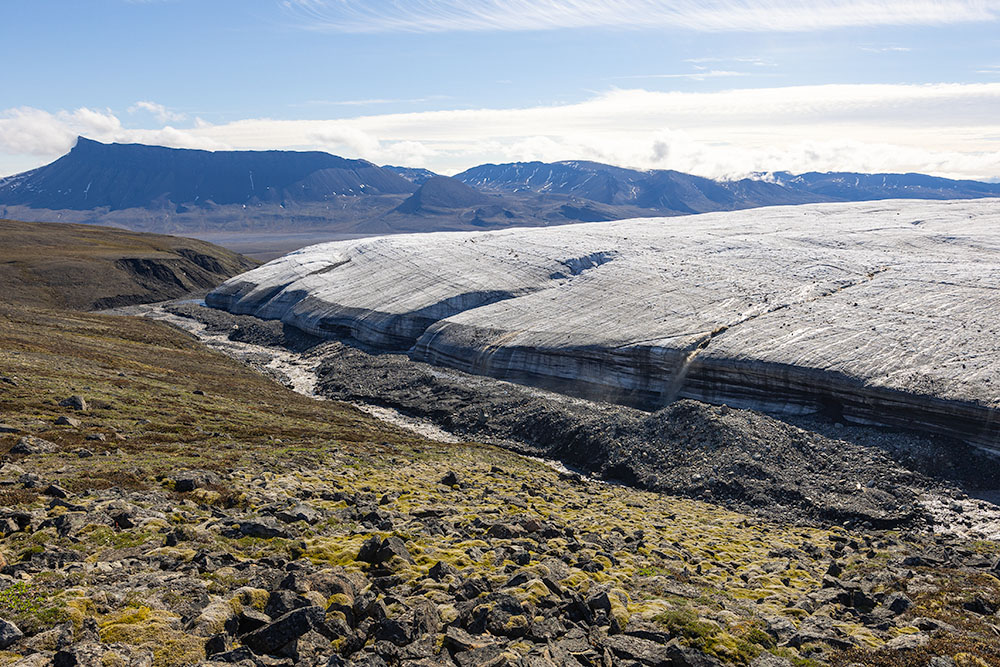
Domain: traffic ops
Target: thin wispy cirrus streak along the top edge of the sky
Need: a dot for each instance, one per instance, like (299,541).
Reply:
(367,16)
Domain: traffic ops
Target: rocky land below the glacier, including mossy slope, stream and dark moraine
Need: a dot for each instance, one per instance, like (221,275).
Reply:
(166,498)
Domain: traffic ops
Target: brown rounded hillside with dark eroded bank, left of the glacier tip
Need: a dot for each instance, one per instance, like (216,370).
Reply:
(88,267)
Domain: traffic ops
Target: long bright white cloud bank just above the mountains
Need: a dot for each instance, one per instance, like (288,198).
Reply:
(943,129)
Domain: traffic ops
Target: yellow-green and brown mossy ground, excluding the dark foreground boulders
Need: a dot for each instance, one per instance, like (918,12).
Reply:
(162,403)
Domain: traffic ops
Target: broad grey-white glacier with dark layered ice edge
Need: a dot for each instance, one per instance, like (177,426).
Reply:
(876,312)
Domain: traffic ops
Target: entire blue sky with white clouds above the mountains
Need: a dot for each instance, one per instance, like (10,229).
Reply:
(719,87)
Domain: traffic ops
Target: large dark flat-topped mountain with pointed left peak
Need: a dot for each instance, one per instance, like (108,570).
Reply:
(122,176)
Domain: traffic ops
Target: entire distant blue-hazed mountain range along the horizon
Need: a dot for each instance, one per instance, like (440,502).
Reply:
(152,188)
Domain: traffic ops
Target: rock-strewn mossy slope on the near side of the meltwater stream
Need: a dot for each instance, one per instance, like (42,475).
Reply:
(165,505)
